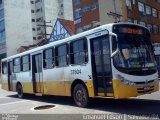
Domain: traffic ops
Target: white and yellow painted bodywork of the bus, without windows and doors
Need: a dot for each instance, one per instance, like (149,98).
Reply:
(59,80)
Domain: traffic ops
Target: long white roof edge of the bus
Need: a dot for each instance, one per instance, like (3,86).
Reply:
(80,35)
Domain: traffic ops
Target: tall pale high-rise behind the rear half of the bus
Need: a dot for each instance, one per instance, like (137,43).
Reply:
(28,22)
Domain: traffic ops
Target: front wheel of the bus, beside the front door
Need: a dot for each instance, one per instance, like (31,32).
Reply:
(80,95)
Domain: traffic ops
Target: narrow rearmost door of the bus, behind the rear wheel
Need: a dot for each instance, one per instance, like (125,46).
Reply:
(10,80)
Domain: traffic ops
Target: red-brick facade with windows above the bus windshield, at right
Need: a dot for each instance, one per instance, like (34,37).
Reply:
(144,12)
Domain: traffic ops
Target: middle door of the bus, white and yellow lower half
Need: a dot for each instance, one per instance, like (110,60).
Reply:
(37,73)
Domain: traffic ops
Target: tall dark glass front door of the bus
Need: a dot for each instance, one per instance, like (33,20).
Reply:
(101,65)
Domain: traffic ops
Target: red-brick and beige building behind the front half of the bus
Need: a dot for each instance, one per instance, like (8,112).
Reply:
(91,13)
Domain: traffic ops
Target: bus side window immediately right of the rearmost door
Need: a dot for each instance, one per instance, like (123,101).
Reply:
(16,65)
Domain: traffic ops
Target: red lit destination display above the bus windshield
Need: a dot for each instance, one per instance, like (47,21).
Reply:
(131,31)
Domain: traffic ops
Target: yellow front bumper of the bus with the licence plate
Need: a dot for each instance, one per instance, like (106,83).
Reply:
(124,91)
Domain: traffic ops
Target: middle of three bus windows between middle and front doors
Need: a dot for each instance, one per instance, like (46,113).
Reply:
(61,55)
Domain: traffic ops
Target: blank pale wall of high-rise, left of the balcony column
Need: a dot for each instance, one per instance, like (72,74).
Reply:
(18,24)
